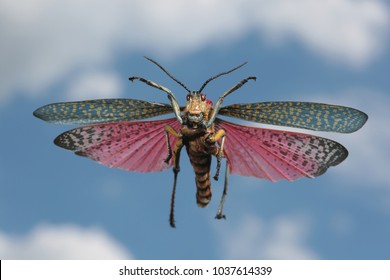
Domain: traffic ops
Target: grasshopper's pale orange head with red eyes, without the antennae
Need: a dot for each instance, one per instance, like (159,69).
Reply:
(197,109)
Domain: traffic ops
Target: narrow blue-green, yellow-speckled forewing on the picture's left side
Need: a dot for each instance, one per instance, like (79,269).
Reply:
(100,111)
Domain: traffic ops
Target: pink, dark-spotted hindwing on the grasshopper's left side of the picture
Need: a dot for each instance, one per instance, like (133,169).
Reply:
(133,146)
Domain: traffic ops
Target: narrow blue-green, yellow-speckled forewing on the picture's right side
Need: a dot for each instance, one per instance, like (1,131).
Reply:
(308,115)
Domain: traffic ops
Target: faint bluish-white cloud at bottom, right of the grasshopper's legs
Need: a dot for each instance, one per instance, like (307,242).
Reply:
(253,238)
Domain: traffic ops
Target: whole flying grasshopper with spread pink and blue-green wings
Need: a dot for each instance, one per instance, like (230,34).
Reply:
(114,136)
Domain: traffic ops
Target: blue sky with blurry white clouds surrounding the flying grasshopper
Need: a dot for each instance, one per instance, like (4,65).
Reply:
(55,205)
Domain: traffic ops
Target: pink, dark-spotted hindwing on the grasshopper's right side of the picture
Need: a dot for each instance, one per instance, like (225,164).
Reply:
(276,155)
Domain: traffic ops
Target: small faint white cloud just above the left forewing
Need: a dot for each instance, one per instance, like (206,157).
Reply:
(94,85)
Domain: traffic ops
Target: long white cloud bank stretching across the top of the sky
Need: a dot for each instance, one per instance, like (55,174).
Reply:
(44,41)
